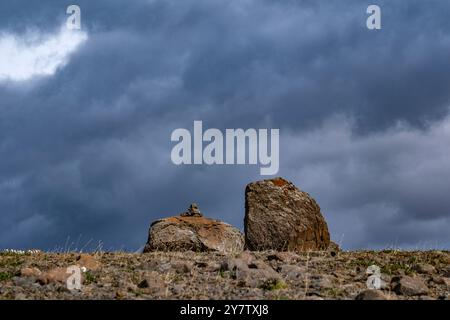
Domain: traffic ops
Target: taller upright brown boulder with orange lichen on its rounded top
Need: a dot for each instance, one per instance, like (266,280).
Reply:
(278,216)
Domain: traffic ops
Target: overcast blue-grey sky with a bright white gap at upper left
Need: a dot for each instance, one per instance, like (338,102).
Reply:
(86,116)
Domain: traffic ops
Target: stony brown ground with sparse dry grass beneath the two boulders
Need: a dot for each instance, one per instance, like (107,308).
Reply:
(249,275)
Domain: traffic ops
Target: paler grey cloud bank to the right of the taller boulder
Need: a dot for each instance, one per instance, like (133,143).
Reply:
(379,190)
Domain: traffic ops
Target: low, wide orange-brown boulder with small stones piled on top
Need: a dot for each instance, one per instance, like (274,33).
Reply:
(192,231)
